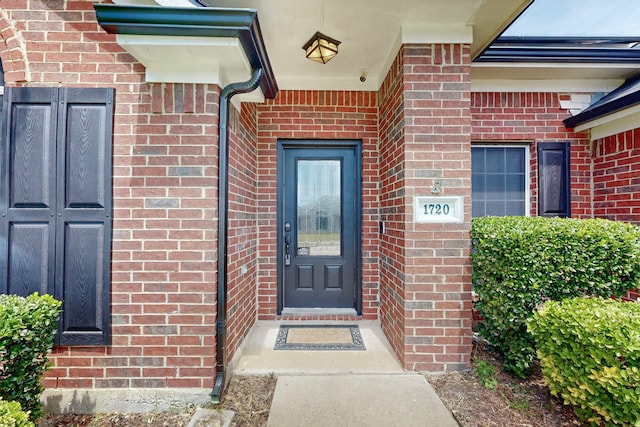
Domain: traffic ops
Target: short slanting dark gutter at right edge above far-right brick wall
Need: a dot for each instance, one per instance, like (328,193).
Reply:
(627,95)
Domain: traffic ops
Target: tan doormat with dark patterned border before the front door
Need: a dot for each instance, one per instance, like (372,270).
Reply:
(319,337)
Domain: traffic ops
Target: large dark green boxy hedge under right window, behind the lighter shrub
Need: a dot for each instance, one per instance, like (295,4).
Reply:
(518,263)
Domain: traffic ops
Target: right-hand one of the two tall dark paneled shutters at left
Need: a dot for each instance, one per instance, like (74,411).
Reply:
(83,229)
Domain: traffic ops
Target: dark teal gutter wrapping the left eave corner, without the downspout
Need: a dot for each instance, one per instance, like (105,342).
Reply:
(195,22)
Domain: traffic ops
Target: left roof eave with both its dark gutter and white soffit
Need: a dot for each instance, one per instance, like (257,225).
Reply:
(192,44)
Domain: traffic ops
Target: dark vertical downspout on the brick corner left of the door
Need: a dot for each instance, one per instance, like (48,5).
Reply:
(223,219)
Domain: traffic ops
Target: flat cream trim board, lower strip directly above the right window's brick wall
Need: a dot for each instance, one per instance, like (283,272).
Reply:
(543,85)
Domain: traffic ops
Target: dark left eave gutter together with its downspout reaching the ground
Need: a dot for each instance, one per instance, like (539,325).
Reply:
(206,22)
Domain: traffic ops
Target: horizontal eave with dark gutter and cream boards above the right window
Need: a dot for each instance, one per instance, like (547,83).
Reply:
(556,64)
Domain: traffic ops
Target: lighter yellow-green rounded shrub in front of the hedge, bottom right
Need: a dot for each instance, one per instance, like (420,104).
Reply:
(589,350)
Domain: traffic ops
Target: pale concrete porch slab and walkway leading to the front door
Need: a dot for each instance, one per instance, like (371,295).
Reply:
(341,388)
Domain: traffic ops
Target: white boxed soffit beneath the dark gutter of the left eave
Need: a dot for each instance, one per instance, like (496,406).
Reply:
(179,59)
